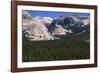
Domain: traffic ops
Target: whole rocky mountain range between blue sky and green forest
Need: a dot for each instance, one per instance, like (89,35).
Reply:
(46,28)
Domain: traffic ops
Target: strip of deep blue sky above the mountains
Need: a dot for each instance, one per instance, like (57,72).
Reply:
(53,14)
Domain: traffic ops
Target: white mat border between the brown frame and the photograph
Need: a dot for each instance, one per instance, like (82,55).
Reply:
(52,63)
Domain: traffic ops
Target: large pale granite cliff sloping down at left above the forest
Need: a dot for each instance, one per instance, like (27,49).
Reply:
(34,28)
